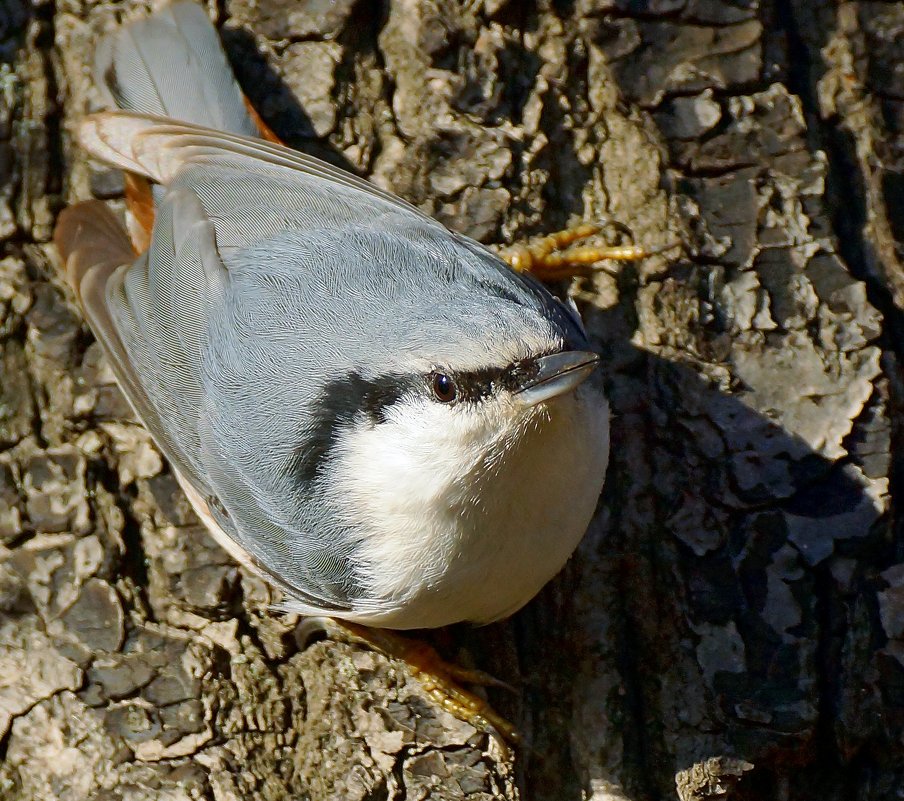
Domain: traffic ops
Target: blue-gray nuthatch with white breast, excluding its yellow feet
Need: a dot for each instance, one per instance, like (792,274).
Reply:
(373,412)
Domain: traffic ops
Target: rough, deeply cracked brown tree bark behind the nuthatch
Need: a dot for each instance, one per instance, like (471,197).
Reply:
(733,624)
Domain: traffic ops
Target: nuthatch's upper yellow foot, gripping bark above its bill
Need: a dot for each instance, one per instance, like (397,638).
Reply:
(553,257)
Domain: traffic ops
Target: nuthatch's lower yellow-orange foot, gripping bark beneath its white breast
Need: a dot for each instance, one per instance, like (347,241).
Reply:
(439,678)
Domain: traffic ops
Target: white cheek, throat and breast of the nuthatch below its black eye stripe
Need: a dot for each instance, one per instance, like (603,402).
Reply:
(466,512)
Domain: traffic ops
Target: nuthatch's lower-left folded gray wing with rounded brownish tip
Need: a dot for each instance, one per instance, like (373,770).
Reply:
(150,314)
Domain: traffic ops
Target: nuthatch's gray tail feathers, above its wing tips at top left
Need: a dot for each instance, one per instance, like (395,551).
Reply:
(172,64)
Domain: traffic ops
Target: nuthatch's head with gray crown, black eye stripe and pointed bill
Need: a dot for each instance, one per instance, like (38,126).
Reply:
(455,373)
